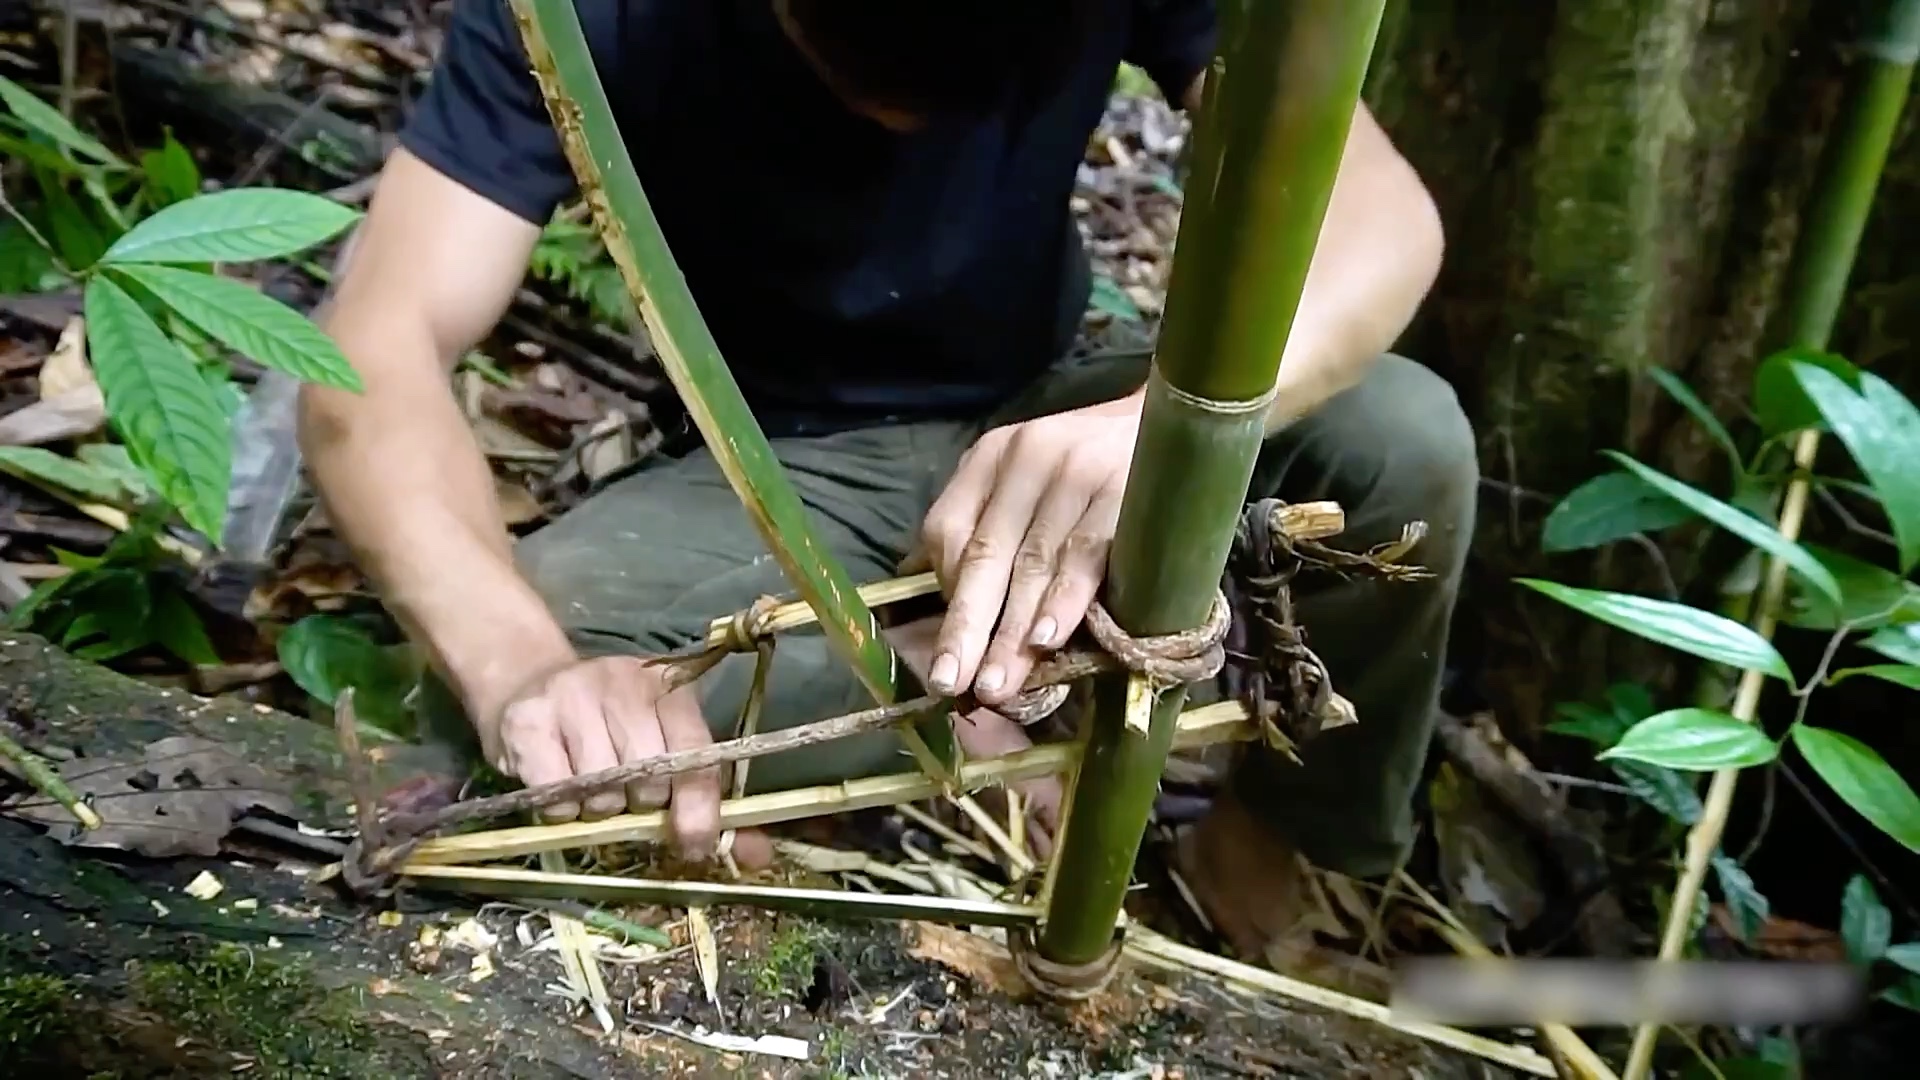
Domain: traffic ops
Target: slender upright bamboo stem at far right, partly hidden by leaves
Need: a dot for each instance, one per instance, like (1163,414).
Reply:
(1815,287)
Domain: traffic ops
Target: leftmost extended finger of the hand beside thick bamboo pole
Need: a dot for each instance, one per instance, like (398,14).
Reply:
(980,579)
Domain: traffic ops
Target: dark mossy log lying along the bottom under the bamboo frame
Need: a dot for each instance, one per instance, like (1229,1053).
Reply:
(108,968)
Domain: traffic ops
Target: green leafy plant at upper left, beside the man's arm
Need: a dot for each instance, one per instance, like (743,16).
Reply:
(145,245)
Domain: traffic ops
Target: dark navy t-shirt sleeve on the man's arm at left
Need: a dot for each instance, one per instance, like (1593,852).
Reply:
(483,122)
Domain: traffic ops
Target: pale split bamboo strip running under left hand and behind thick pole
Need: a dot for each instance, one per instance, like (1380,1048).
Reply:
(1201,727)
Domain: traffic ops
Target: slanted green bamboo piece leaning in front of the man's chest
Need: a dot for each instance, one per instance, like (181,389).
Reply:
(604,166)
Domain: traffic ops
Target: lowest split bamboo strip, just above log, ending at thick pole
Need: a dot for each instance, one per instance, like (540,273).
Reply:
(834,904)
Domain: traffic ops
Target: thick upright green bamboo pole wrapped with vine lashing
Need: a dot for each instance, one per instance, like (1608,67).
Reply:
(1280,101)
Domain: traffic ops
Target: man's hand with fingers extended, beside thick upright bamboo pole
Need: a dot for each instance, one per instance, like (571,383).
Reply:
(1020,539)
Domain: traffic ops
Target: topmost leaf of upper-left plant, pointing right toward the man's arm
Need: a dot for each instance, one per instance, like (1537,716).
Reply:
(233,228)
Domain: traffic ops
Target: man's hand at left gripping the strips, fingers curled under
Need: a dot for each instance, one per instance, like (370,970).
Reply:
(600,714)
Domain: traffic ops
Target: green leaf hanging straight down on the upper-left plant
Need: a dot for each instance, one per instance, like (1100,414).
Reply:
(160,406)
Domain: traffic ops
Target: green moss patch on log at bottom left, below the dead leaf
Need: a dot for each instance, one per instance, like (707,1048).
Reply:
(274,1014)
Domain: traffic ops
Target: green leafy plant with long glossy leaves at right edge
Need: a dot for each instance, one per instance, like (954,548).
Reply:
(1856,601)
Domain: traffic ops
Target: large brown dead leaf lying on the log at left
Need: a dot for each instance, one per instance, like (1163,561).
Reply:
(180,798)
